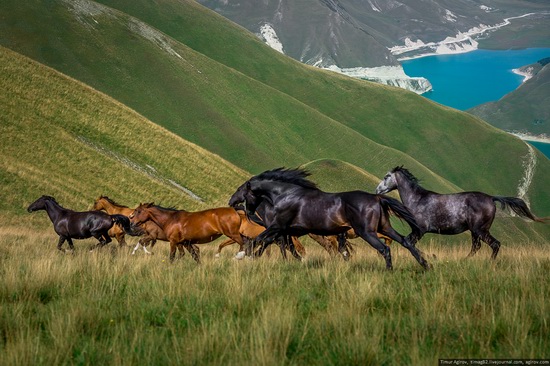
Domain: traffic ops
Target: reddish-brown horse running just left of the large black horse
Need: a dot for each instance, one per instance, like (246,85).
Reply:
(187,228)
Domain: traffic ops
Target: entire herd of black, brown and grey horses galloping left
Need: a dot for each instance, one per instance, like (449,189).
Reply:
(281,205)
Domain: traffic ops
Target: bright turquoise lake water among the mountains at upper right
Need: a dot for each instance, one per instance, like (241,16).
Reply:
(465,80)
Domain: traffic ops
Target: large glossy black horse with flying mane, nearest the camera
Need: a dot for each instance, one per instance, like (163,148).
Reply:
(298,207)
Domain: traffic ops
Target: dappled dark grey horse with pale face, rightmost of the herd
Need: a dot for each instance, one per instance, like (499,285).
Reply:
(450,214)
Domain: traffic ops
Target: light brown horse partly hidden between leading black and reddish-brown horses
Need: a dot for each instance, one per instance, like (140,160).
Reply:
(152,231)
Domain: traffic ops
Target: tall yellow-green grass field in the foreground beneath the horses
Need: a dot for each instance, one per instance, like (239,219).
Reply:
(108,307)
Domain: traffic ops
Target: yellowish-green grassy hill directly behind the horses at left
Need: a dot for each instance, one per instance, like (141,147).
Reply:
(64,139)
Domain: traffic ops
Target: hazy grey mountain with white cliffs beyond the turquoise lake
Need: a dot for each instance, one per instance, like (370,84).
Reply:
(366,38)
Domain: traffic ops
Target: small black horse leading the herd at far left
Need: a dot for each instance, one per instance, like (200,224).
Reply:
(70,224)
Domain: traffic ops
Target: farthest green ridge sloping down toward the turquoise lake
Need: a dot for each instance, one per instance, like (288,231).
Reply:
(444,140)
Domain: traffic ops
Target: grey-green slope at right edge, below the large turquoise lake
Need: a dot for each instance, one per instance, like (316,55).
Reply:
(526,110)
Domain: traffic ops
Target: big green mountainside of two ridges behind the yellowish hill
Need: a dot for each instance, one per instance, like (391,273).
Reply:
(207,80)
